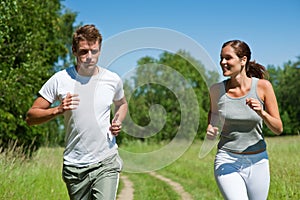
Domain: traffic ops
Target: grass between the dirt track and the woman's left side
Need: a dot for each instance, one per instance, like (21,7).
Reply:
(194,174)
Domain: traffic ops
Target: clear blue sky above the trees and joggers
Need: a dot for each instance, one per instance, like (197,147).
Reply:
(271,28)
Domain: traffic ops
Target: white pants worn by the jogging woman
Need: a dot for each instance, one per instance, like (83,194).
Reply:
(242,177)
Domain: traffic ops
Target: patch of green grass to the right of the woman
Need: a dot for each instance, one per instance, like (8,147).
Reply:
(284,158)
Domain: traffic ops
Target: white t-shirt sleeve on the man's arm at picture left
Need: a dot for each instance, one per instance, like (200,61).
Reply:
(49,90)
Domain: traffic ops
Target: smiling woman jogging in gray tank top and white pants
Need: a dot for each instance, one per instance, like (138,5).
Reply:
(239,106)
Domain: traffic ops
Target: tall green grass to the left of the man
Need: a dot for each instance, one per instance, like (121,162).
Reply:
(36,178)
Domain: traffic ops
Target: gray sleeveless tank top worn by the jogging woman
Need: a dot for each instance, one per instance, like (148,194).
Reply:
(242,127)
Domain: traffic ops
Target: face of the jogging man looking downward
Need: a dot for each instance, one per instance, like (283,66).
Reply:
(87,56)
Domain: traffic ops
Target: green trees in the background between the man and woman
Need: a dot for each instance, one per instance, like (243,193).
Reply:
(174,82)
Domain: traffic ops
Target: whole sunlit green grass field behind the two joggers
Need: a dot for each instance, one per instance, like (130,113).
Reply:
(40,177)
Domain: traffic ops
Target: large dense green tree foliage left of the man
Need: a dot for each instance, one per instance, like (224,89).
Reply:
(33,37)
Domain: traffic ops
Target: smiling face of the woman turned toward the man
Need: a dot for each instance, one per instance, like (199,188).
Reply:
(230,63)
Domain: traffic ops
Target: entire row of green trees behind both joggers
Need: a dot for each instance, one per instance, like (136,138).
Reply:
(35,42)
